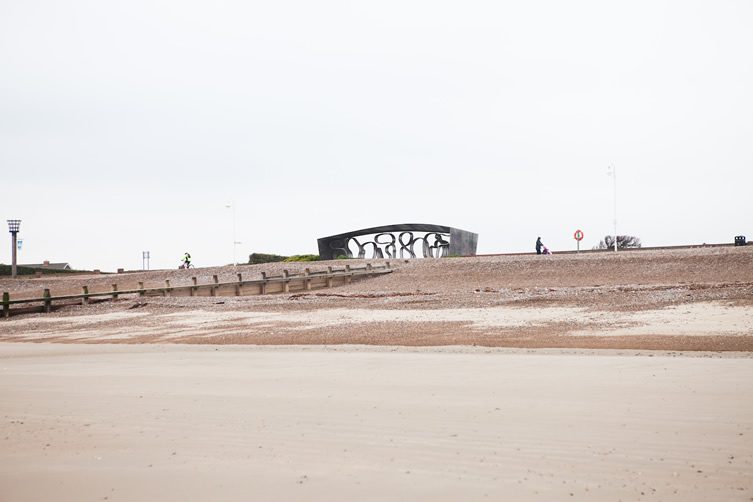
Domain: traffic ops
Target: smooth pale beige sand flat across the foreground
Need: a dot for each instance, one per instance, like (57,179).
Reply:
(179,422)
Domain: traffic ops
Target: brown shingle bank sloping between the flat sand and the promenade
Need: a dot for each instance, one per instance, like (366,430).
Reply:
(624,284)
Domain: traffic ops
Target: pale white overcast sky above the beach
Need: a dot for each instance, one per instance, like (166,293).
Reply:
(128,126)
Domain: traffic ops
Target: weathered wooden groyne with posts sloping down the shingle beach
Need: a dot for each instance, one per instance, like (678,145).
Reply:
(268,284)
